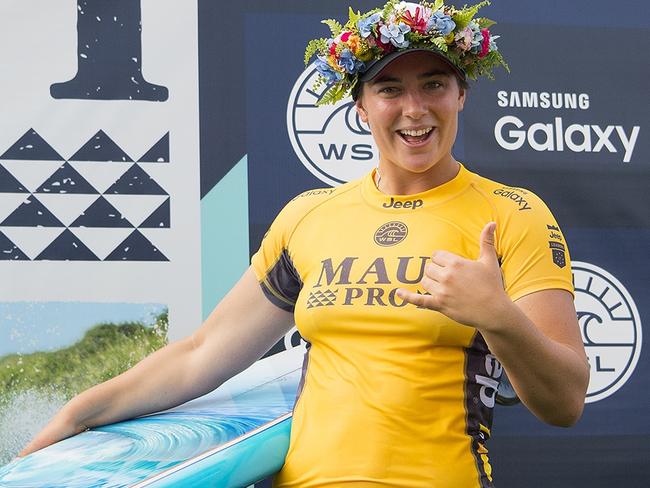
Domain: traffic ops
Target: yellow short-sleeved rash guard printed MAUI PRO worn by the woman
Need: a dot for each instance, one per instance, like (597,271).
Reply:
(395,395)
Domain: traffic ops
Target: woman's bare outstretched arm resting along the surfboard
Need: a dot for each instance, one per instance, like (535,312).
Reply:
(239,331)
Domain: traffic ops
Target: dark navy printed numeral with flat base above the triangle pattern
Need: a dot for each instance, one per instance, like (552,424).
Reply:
(109,55)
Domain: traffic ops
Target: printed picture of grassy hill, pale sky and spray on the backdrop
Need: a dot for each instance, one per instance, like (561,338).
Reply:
(51,351)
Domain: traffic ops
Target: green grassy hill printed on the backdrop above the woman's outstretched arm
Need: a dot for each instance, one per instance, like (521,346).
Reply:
(105,351)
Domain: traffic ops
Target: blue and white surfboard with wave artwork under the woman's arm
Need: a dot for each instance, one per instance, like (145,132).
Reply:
(232,437)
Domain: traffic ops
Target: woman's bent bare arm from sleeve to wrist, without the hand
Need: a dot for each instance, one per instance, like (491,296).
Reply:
(538,342)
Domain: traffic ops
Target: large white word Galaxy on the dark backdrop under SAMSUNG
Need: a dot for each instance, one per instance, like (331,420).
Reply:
(511,133)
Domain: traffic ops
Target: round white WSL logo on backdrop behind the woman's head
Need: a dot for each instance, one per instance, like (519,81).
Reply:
(331,141)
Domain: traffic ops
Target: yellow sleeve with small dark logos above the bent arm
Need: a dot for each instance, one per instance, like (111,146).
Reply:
(532,249)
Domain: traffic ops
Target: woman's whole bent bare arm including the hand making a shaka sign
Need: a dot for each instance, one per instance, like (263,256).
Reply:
(536,339)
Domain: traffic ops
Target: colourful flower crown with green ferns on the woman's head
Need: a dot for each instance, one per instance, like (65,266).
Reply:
(462,39)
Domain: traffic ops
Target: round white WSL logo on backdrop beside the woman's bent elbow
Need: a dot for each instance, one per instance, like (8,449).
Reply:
(610,326)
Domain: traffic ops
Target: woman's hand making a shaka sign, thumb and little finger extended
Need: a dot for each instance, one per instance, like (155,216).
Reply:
(467,291)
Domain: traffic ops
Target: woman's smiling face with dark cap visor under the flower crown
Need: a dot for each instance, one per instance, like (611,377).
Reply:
(412,109)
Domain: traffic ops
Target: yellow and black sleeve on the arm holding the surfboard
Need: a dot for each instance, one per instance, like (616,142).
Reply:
(272,263)
